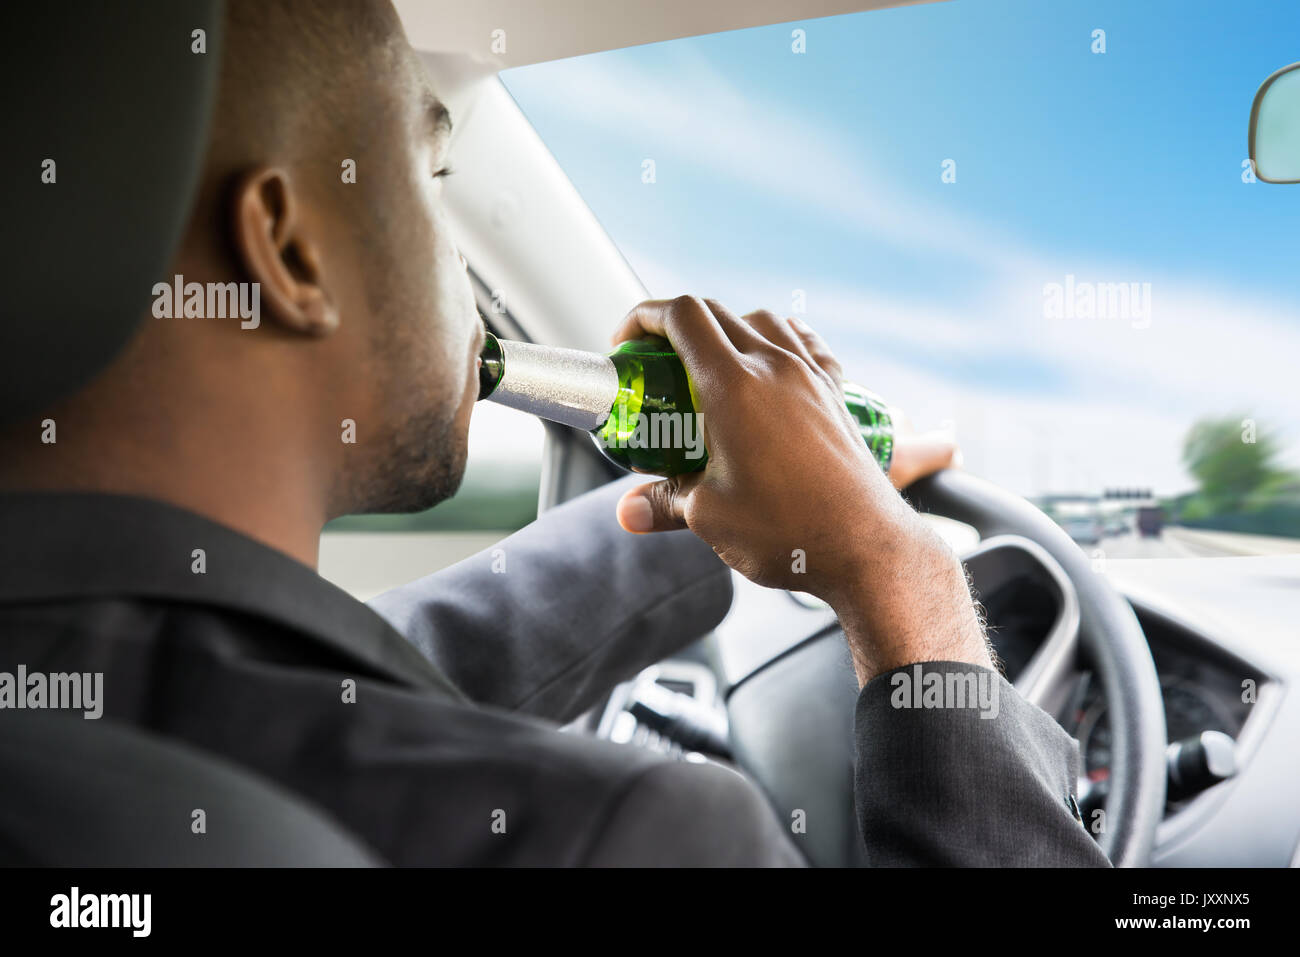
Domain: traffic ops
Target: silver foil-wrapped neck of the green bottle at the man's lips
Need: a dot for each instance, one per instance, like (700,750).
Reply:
(564,386)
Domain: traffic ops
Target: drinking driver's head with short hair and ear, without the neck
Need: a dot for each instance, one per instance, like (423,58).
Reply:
(326,174)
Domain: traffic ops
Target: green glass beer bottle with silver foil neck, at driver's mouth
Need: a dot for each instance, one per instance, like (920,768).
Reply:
(638,402)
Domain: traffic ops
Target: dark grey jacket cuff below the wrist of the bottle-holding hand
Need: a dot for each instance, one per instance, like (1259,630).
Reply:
(969,786)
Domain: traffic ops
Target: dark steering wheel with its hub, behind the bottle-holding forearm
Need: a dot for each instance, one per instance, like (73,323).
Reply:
(785,713)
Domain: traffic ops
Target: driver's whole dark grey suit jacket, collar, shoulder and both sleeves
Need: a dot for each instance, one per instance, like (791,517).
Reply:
(430,729)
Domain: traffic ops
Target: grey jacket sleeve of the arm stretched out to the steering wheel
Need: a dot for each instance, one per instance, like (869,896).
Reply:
(561,612)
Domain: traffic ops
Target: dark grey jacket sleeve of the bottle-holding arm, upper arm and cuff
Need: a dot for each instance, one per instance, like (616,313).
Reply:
(990,783)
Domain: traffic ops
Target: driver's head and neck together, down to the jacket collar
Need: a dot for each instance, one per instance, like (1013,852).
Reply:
(323,185)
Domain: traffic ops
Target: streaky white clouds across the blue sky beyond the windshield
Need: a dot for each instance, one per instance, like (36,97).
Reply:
(1129,393)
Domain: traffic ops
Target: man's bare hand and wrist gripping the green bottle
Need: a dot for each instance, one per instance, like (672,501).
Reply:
(792,497)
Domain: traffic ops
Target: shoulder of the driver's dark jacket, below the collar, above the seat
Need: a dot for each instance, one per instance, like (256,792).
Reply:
(421,777)
